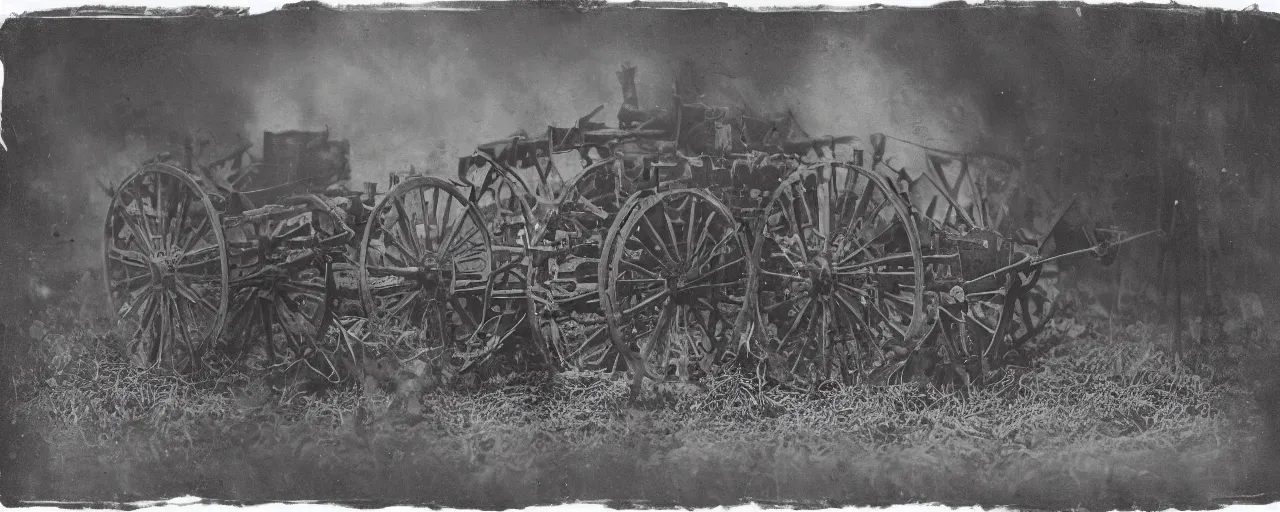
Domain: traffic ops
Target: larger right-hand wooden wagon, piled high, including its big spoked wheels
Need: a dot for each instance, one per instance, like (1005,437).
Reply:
(941,245)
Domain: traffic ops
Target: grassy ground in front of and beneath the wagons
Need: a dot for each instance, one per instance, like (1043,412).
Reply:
(1107,419)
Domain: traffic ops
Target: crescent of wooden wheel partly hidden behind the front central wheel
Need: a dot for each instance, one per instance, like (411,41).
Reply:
(565,277)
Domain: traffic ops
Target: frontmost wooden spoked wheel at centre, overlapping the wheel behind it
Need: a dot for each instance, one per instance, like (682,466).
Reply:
(676,278)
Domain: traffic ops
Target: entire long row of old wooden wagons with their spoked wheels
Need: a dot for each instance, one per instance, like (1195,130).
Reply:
(682,241)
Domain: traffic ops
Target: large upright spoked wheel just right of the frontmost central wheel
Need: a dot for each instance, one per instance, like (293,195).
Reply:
(840,278)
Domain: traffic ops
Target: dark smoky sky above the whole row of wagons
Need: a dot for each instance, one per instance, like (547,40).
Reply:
(1096,100)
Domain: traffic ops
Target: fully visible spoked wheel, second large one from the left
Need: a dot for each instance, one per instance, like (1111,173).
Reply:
(427,267)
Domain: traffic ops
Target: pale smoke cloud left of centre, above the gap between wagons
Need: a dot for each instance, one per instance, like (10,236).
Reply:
(422,104)
